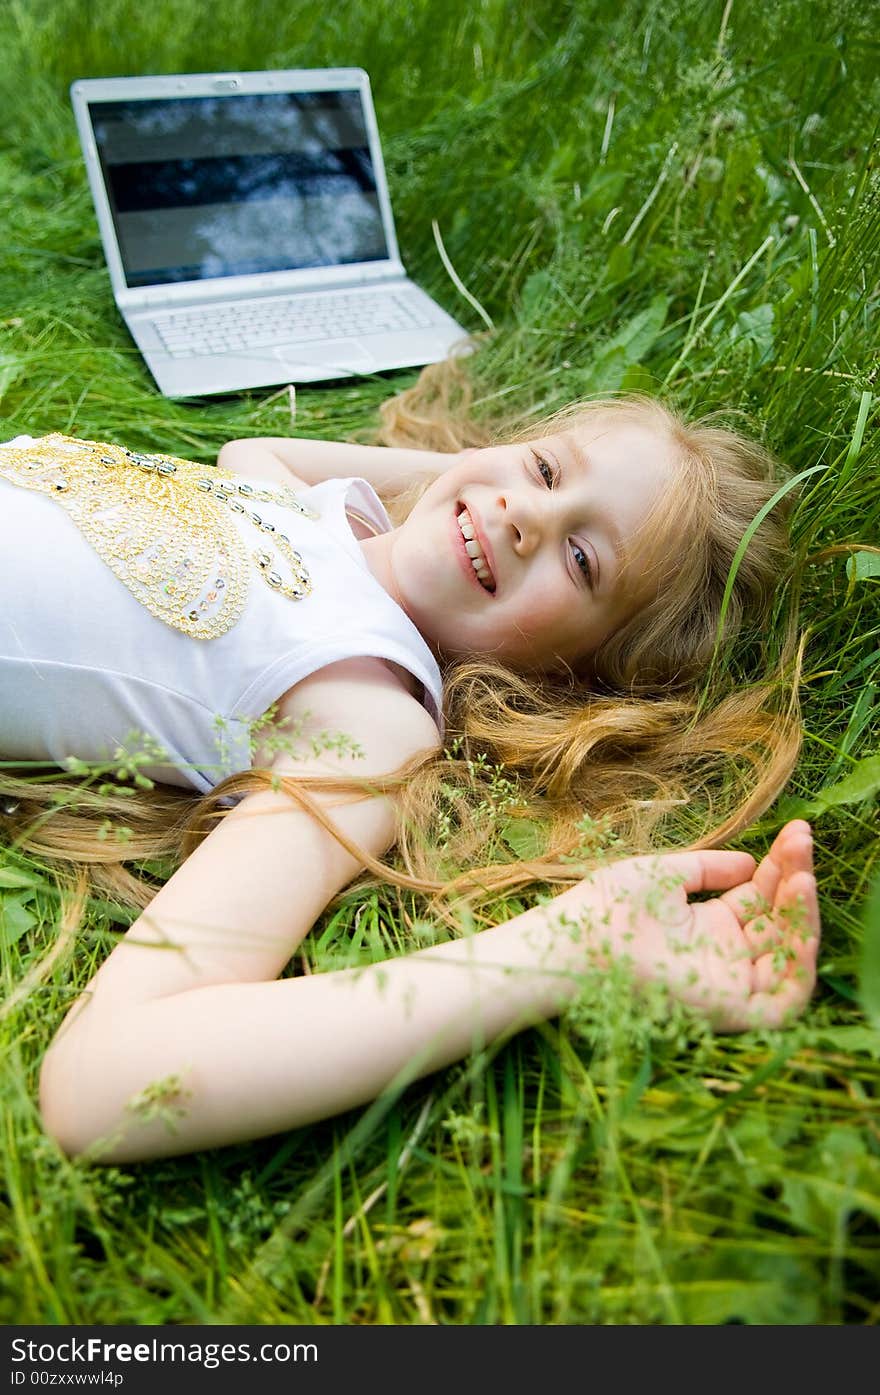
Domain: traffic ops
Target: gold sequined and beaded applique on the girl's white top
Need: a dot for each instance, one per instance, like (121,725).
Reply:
(164,527)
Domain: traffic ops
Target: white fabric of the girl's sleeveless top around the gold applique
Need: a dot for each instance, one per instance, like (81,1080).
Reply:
(86,669)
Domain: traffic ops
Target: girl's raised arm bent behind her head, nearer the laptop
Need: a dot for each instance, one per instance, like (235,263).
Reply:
(299,461)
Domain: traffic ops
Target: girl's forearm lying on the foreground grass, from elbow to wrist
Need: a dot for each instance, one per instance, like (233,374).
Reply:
(242,1061)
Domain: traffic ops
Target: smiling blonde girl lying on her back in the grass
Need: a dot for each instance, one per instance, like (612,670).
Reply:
(299,662)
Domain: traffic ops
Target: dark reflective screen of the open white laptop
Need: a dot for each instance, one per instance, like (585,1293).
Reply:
(234,186)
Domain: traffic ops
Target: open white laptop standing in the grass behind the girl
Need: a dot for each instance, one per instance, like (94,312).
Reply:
(249,232)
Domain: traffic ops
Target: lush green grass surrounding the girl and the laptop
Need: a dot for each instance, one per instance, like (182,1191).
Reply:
(638,196)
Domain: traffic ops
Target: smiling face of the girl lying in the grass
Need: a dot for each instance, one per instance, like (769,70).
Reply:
(550,525)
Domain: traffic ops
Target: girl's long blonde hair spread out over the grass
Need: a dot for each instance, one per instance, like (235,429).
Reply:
(665,744)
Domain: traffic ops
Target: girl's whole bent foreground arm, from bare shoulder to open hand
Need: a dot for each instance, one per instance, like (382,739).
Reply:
(185,1041)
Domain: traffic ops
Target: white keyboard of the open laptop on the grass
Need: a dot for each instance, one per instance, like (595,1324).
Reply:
(291,320)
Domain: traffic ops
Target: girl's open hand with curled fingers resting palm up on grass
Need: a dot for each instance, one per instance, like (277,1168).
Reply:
(745,959)
